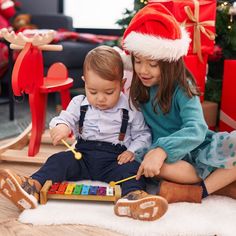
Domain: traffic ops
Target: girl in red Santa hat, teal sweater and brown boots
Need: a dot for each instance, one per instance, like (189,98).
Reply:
(193,161)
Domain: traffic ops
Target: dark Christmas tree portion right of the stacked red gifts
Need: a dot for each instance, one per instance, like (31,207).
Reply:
(225,48)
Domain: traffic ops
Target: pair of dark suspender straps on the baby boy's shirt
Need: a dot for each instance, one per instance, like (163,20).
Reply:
(124,124)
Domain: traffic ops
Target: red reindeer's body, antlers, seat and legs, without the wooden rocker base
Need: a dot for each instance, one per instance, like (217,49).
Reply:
(28,78)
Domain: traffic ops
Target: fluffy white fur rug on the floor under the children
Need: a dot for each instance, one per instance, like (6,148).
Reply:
(215,216)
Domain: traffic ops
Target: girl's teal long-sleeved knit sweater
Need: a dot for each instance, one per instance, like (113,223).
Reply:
(182,130)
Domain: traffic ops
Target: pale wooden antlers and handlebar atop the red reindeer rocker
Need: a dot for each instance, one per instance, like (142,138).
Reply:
(41,41)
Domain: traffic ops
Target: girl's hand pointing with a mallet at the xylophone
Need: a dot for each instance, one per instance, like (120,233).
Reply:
(152,163)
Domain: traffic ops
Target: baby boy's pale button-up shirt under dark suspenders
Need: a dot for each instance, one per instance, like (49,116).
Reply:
(104,125)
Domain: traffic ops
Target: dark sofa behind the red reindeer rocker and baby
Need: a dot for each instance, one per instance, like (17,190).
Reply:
(73,53)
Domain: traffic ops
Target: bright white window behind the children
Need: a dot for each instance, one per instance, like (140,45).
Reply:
(96,14)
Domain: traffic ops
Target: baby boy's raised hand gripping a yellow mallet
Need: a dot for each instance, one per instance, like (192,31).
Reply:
(59,132)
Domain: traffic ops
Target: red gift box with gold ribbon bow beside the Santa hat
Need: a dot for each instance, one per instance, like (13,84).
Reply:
(199,19)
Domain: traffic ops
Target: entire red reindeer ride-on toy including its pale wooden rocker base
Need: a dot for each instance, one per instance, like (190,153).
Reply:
(28,78)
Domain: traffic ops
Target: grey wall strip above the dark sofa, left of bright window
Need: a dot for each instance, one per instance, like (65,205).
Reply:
(39,7)
